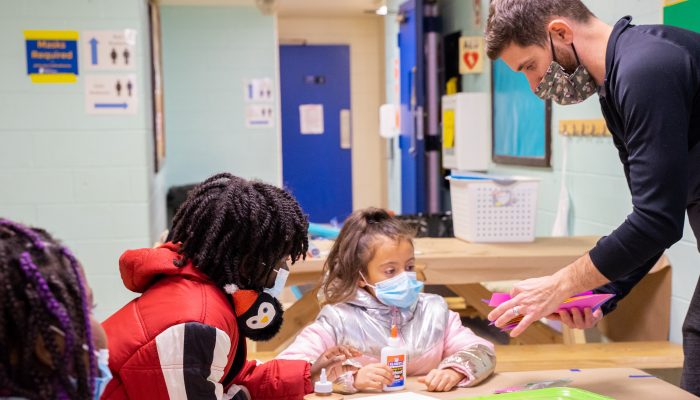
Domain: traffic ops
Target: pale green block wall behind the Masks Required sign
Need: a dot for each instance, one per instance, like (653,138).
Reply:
(87,179)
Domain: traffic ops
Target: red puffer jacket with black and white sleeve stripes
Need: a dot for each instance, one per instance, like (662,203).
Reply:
(179,339)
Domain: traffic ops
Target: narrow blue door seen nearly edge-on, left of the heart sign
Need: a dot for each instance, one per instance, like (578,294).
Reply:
(411,142)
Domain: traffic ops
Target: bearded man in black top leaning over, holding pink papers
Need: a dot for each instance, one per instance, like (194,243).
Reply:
(648,80)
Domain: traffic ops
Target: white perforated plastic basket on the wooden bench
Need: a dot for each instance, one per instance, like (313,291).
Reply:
(488,208)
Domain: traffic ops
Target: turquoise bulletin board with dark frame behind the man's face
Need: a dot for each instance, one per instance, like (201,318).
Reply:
(521,120)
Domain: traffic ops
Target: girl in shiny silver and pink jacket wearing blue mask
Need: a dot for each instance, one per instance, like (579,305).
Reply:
(370,284)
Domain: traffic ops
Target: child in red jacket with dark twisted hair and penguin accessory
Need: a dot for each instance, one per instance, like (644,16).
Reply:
(211,285)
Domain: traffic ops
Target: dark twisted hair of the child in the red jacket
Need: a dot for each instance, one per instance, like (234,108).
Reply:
(236,231)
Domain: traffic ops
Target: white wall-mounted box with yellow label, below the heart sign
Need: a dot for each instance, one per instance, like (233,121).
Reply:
(466,131)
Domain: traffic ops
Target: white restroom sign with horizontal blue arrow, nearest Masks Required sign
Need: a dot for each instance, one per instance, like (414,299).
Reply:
(111,94)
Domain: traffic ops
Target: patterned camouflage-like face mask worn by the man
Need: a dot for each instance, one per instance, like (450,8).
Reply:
(565,88)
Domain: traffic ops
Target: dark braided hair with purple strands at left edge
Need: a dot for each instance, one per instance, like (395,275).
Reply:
(43,303)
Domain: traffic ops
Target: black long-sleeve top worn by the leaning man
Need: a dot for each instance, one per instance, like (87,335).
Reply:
(651,102)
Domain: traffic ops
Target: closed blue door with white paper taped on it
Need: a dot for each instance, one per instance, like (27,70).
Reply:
(316,160)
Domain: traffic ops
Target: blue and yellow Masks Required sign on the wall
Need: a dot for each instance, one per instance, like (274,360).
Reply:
(52,56)
